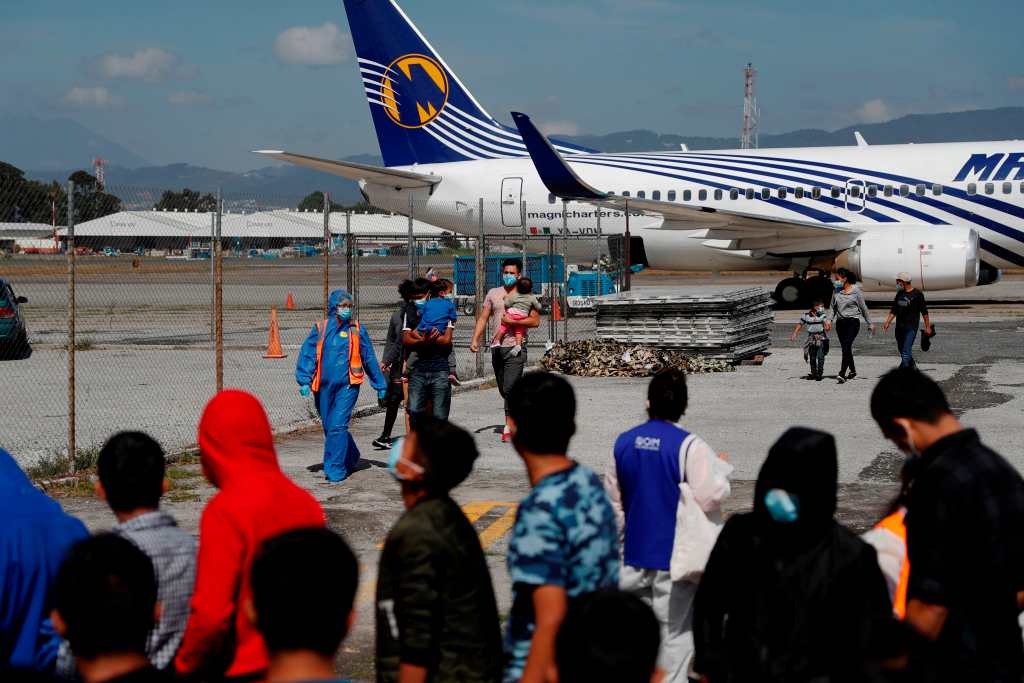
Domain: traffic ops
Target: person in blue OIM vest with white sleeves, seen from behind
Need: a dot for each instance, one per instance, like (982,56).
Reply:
(645,483)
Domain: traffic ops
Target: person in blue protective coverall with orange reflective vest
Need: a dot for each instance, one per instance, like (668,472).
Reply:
(330,368)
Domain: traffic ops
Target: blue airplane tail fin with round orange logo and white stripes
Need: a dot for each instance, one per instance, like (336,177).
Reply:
(422,112)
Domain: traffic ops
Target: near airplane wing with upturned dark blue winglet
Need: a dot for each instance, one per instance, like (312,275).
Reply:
(733,231)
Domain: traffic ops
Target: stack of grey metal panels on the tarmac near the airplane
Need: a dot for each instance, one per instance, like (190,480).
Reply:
(729,325)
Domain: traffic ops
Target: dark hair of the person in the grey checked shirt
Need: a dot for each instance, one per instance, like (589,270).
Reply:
(132,468)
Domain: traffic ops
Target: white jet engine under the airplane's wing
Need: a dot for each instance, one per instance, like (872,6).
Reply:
(937,258)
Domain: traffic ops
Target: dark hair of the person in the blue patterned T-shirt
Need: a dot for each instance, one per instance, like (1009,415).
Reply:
(543,407)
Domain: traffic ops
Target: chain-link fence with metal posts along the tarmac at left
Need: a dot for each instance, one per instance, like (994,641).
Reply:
(133,315)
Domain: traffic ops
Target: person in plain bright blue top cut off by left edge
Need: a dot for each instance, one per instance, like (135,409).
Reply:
(35,536)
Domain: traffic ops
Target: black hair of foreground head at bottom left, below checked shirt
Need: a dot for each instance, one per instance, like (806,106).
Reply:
(106,593)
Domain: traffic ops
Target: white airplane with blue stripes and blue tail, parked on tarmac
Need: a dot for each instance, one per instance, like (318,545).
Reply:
(953,215)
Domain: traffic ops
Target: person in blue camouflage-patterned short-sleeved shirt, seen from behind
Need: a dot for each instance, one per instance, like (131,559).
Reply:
(565,543)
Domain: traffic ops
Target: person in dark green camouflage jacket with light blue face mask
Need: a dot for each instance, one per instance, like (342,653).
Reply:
(437,615)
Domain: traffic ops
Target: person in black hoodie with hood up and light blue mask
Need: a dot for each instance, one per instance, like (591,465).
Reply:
(790,594)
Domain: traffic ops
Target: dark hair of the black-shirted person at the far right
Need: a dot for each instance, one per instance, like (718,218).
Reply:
(907,393)
